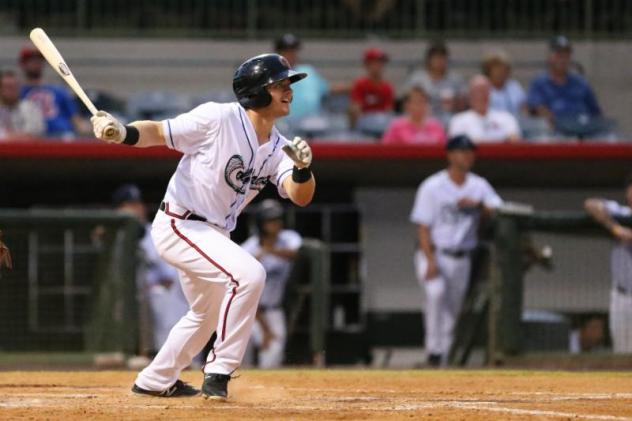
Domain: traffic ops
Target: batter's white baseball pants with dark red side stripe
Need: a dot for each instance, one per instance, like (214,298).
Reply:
(221,282)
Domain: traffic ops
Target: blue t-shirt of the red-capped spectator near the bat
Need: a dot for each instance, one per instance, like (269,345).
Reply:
(57,106)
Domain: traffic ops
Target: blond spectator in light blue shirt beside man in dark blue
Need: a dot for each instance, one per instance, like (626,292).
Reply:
(507,94)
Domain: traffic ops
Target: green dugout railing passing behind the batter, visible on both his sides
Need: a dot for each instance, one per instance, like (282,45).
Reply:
(74,287)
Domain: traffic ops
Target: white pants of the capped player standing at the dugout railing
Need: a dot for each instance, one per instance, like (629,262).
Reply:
(444,296)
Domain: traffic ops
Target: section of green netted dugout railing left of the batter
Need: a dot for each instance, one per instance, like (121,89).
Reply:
(73,283)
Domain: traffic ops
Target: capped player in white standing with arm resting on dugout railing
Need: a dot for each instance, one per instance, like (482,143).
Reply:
(447,212)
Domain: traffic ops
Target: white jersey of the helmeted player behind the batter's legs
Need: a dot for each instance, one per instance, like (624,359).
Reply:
(277,268)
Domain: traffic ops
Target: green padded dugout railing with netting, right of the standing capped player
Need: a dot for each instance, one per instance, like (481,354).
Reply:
(540,286)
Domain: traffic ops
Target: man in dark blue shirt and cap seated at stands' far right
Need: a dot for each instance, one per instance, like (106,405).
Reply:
(565,98)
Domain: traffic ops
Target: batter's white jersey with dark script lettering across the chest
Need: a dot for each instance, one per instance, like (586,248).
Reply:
(223,166)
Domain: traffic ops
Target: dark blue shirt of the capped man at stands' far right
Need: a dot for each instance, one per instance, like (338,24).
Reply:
(573,98)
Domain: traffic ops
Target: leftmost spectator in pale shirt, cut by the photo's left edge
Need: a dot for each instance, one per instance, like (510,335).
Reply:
(19,119)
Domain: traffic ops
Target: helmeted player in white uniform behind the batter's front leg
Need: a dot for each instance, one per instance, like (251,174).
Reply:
(275,248)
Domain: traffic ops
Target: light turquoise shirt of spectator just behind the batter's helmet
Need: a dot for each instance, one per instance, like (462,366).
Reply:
(308,93)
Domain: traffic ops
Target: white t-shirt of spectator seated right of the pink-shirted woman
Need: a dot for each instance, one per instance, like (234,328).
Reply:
(495,126)
